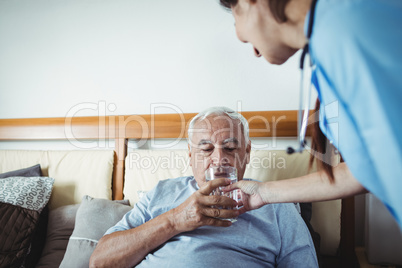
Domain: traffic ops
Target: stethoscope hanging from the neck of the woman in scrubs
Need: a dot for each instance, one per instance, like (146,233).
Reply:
(302,118)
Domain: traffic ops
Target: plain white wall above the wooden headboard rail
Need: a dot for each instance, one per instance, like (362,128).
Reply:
(89,57)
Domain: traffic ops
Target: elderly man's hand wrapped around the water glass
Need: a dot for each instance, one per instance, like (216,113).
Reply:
(197,210)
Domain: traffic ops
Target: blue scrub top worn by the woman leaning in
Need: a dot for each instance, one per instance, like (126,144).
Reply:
(356,46)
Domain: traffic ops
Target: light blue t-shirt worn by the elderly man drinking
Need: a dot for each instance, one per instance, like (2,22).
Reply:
(272,236)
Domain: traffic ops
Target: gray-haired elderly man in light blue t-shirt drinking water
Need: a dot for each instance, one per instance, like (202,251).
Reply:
(178,224)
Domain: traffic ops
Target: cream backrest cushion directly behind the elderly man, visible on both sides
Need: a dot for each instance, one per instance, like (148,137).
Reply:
(144,168)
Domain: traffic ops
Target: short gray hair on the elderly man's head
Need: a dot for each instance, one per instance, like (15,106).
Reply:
(219,111)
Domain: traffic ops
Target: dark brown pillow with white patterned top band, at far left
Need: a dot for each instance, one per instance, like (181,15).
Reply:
(21,203)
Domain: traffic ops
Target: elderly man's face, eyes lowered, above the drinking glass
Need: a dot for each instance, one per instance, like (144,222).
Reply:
(218,141)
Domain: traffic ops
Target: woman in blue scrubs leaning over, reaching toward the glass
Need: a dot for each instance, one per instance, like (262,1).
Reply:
(355,47)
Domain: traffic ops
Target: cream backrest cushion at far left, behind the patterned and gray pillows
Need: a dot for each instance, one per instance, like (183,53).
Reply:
(76,173)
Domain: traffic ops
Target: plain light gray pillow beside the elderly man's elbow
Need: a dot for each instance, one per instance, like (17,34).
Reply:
(94,217)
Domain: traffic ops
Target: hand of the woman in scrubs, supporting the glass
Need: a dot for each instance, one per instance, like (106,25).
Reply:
(253,194)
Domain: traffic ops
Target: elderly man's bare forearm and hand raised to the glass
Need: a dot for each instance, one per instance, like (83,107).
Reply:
(128,248)
